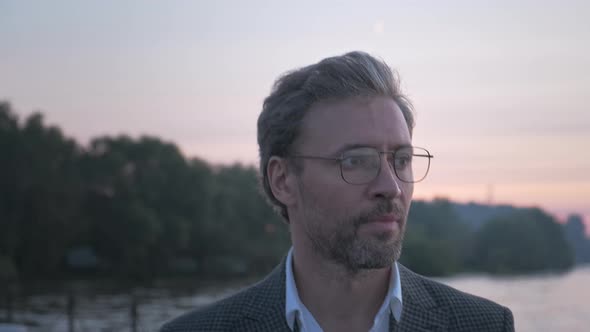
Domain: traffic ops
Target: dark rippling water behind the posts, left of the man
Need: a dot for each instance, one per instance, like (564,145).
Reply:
(107,312)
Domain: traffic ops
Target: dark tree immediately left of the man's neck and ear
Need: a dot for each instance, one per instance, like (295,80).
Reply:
(248,231)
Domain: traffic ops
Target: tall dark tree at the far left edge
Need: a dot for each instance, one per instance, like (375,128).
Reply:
(40,191)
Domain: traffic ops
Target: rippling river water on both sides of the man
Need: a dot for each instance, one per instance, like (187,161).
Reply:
(539,303)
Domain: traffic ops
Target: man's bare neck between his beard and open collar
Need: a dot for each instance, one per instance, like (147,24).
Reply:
(338,298)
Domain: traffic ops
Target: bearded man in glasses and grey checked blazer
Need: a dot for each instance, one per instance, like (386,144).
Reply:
(337,161)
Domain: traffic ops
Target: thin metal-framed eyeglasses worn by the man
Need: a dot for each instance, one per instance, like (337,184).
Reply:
(362,165)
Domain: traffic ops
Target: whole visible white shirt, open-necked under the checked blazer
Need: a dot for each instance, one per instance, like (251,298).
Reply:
(295,309)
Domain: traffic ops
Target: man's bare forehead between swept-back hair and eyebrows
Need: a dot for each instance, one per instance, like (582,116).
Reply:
(370,121)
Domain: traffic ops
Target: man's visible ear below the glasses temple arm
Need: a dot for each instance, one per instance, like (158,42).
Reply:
(281,180)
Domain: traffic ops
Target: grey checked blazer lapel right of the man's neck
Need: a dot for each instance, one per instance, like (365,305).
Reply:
(420,312)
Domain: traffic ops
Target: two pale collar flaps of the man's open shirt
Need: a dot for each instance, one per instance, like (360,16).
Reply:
(294,307)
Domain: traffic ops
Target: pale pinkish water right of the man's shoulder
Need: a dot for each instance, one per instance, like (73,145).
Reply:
(539,303)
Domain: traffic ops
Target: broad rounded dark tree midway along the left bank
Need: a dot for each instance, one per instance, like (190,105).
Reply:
(143,199)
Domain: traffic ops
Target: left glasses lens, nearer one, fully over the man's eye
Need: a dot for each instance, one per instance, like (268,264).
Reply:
(360,166)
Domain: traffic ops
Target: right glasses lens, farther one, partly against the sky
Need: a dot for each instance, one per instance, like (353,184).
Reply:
(411,164)
